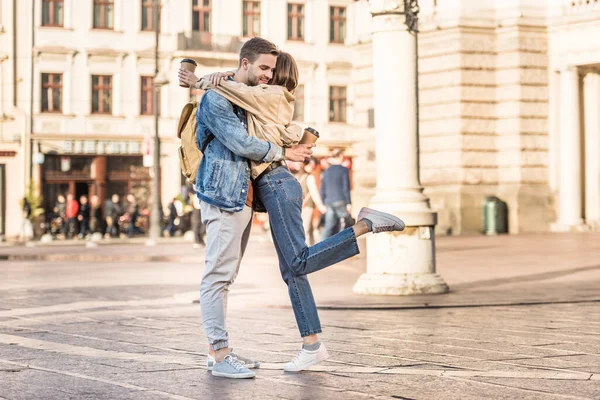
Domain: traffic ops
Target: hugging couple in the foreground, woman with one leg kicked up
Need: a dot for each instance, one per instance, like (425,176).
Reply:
(244,124)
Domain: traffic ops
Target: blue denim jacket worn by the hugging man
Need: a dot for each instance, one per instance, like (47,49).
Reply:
(224,172)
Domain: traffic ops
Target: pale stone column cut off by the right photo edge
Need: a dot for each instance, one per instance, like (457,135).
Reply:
(591,106)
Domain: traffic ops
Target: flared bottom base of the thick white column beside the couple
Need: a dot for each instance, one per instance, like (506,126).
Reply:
(400,284)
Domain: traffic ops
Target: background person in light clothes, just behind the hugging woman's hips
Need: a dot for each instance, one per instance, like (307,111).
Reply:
(310,198)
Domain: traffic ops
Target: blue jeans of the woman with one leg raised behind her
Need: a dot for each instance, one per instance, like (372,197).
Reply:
(281,195)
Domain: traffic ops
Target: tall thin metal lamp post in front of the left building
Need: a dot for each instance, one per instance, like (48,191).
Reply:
(155,215)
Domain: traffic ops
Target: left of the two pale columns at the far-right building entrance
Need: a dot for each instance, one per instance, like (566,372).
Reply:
(570,199)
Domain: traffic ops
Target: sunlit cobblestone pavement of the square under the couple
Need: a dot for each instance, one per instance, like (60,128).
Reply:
(119,322)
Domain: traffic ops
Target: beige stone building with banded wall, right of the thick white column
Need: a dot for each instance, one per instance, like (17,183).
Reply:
(490,111)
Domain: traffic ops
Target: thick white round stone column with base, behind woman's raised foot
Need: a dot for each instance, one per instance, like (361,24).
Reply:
(400,263)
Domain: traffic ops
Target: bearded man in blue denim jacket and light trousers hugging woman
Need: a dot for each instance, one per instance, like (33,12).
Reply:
(224,188)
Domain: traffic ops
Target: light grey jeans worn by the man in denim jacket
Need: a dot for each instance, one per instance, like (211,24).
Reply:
(227,235)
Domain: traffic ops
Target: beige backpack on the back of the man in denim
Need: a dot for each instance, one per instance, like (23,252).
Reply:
(189,153)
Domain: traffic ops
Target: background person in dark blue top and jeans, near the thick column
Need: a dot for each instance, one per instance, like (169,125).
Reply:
(335,192)
